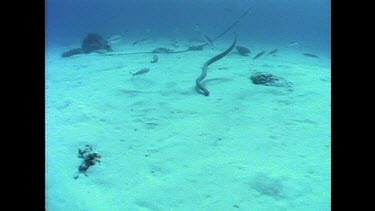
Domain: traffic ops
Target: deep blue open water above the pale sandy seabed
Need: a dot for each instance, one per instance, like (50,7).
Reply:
(270,21)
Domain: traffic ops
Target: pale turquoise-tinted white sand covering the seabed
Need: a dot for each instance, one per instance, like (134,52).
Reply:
(165,147)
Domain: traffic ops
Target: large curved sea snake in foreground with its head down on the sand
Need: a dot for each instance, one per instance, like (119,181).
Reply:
(199,87)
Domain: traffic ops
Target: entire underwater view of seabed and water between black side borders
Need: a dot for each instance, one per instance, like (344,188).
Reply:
(197,105)
